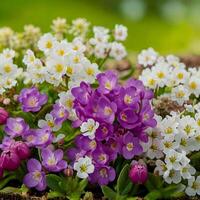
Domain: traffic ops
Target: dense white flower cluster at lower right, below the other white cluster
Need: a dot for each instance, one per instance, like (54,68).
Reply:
(171,144)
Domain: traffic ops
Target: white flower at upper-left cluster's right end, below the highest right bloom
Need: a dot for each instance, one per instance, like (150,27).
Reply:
(117,51)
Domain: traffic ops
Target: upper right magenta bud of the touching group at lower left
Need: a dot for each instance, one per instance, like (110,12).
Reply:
(22,150)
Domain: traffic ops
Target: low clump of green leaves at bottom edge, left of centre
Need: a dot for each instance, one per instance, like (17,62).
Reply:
(69,187)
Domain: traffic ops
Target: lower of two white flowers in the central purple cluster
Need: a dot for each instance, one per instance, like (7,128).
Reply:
(84,167)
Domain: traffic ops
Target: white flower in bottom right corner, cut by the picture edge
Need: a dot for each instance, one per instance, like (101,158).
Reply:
(193,186)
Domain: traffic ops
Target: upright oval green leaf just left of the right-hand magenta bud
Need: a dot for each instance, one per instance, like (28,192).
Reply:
(123,179)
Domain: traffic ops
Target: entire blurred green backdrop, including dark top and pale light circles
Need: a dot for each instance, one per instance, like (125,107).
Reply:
(169,26)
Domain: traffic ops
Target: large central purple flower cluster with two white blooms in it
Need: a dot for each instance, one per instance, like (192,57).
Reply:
(112,120)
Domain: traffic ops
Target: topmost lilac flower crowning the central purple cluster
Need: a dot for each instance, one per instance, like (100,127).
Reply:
(107,82)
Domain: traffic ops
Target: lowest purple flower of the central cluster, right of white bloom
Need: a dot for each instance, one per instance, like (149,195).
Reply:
(103,175)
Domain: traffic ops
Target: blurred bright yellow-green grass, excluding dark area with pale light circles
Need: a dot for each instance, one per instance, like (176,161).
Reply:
(151,31)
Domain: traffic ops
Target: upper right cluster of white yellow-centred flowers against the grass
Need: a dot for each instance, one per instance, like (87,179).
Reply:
(169,73)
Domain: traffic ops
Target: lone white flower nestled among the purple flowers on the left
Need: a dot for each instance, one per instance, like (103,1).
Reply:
(49,121)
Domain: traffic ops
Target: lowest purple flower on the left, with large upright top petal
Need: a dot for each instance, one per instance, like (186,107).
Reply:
(35,177)
